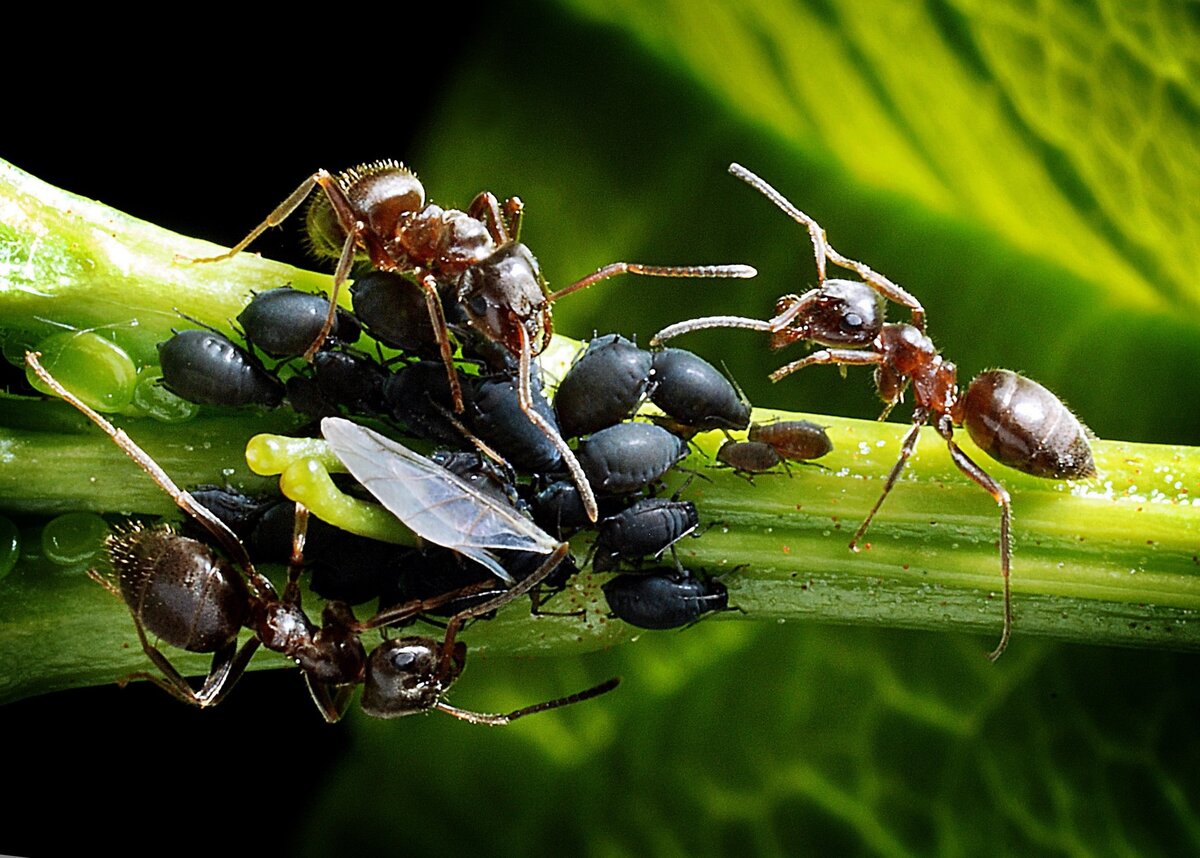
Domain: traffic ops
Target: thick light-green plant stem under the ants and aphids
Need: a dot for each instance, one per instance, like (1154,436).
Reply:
(1111,561)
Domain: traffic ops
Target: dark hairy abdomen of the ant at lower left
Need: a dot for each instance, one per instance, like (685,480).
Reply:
(179,590)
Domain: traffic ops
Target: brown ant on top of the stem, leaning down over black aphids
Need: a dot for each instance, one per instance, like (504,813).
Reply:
(473,259)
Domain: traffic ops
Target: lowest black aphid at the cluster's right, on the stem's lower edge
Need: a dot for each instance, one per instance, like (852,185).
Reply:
(664,599)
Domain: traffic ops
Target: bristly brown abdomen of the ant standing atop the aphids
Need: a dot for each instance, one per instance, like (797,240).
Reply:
(380,195)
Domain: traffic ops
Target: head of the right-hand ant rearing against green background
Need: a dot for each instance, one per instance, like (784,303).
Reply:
(842,313)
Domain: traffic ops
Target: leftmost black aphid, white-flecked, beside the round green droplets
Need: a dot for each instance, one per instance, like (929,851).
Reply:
(208,369)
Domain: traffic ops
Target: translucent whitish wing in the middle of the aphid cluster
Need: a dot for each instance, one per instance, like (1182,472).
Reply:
(434,503)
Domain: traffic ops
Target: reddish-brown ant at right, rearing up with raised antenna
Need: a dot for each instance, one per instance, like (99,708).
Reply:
(1013,419)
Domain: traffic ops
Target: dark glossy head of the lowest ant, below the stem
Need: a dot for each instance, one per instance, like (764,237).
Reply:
(405,676)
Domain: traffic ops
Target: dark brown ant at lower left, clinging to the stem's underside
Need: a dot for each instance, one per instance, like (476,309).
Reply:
(181,592)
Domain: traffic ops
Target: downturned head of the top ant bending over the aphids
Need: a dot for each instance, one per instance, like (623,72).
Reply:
(505,293)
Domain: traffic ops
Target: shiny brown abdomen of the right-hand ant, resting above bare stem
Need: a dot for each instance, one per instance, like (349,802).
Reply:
(1021,424)
